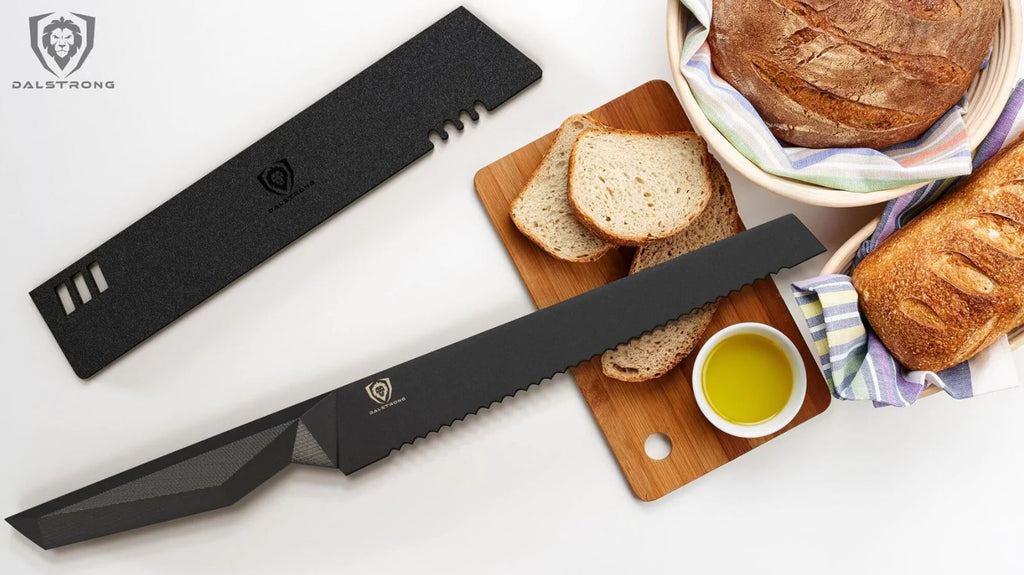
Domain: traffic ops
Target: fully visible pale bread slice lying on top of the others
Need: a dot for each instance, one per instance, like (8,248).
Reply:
(631,189)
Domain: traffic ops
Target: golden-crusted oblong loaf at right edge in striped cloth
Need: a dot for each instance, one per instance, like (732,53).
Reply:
(952,282)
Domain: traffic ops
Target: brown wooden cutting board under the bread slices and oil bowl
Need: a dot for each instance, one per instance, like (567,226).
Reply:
(629,414)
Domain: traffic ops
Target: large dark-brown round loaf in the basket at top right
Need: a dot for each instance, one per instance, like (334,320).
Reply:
(851,73)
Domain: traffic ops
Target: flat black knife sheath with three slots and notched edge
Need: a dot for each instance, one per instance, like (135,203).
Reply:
(281,188)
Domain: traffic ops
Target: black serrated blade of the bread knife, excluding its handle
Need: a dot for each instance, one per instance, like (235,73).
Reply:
(447,385)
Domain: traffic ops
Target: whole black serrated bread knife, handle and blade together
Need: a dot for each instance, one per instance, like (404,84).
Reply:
(363,422)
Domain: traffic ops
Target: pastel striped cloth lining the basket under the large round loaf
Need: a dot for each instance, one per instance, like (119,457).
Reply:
(943,152)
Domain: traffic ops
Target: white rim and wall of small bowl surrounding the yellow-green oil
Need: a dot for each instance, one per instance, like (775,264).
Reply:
(792,407)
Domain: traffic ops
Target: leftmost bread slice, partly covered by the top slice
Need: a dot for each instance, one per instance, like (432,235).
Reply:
(542,210)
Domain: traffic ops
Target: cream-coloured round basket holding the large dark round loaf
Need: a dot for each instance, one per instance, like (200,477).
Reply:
(988,97)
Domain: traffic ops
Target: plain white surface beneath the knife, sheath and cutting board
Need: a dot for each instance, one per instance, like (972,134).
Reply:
(528,486)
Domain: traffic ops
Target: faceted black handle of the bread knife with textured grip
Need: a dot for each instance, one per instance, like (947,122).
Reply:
(211,474)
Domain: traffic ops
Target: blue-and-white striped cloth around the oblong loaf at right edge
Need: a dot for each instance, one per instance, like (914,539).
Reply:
(856,363)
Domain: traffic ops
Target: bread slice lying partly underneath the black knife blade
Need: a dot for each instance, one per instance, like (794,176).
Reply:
(655,355)
